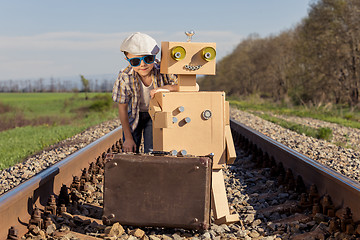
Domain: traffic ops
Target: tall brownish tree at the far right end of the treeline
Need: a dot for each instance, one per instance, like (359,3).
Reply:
(328,51)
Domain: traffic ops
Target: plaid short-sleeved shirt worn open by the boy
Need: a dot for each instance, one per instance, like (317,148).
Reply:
(127,89)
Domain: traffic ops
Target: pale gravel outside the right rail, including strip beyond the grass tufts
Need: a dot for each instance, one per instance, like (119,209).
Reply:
(343,160)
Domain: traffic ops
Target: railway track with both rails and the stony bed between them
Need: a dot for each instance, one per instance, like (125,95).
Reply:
(277,192)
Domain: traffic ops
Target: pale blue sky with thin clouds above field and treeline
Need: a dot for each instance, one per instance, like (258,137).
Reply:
(46,38)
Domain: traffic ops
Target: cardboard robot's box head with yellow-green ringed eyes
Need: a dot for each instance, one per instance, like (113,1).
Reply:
(188,58)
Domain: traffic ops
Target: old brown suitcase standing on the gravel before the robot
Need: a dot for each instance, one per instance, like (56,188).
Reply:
(157,191)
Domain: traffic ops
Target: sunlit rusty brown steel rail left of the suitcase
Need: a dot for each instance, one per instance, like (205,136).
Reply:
(17,204)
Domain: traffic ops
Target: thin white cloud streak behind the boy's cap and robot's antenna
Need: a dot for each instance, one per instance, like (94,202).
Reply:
(101,41)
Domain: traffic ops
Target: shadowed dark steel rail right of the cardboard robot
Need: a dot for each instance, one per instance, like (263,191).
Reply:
(344,192)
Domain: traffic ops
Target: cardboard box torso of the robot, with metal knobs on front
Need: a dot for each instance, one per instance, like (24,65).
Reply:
(198,136)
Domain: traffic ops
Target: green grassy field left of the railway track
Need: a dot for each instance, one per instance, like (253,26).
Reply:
(31,122)
